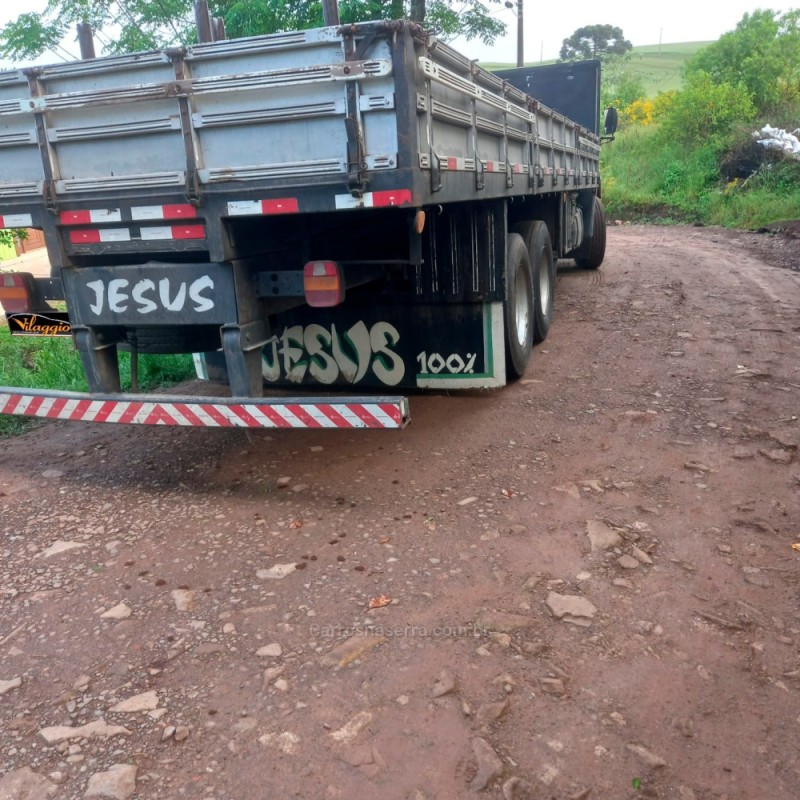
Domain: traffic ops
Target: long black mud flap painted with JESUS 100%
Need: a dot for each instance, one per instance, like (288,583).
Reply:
(436,346)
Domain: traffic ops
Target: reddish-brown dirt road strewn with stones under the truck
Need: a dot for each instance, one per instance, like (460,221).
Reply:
(586,583)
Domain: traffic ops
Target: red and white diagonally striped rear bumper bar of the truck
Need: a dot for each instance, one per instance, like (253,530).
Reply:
(380,413)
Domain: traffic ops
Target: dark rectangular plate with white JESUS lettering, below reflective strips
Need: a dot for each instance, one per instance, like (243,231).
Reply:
(151,294)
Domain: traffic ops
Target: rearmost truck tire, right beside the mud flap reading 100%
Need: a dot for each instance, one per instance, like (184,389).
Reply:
(518,306)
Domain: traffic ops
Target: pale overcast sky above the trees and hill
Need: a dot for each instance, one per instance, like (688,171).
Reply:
(548,23)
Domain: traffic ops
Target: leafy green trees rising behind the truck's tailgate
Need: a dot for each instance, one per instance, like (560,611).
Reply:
(132,25)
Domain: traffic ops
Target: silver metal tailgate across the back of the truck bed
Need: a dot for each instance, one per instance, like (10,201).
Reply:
(271,109)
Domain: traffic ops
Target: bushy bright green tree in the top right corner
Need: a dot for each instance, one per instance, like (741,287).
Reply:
(761,55)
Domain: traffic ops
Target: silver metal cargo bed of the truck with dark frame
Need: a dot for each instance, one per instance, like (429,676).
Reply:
(152,153)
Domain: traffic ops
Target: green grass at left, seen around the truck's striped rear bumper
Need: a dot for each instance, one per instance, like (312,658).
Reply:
(53,363)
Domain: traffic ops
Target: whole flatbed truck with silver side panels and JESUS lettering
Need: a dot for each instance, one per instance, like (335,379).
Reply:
(342,215)
